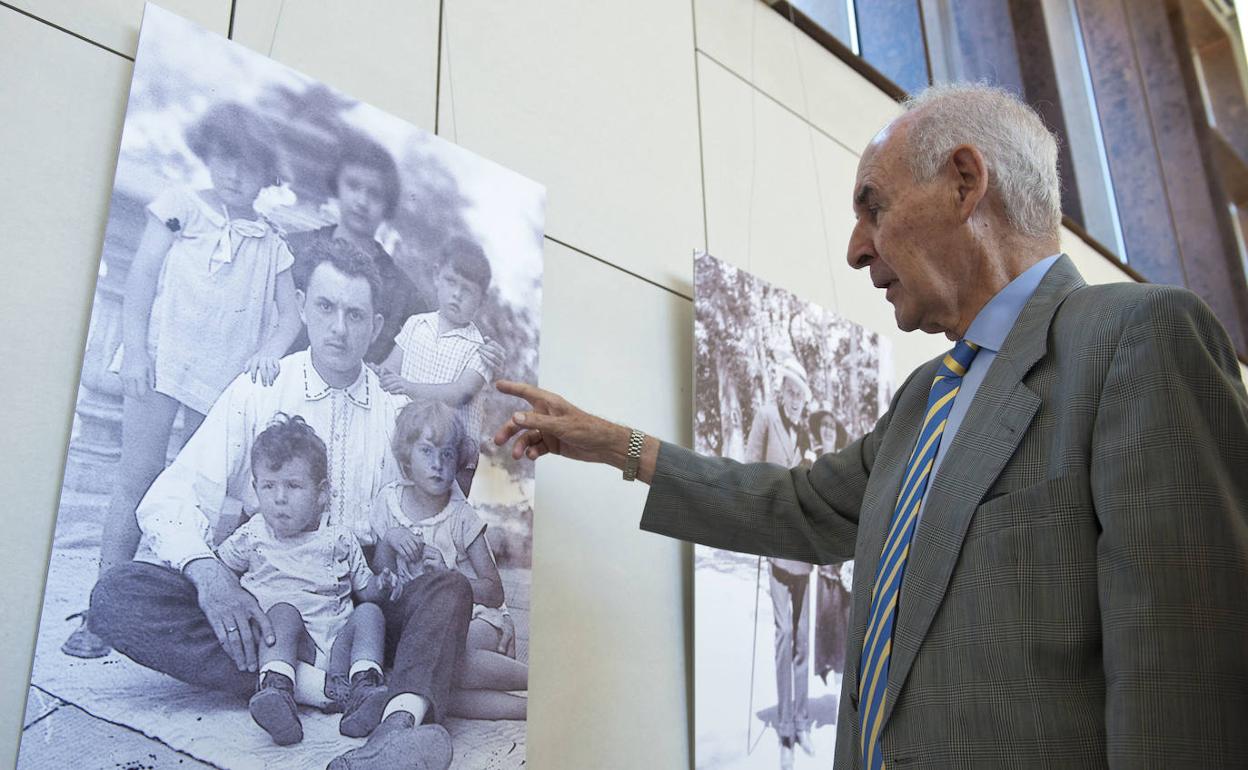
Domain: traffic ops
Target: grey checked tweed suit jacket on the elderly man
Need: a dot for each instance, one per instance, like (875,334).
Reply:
(1076,593)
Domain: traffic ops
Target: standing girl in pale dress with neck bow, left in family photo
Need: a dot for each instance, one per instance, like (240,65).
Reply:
(209,295)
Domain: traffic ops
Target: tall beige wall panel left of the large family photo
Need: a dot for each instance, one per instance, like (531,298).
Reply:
(61,135)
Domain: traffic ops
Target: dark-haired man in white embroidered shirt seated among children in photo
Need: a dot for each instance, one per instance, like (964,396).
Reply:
(189,617)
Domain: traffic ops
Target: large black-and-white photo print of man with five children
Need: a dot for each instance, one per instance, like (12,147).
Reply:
(284,530)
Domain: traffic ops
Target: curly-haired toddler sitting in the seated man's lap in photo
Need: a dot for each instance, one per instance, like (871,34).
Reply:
(304,572)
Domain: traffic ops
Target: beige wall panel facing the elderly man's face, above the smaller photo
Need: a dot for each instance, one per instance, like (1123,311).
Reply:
(767,172)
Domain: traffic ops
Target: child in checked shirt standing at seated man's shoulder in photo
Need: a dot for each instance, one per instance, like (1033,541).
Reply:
(442,356)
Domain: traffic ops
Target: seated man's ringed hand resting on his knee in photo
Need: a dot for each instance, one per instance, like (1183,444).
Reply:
(233,613)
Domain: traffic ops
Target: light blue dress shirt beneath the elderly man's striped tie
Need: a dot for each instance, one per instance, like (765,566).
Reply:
(989,331)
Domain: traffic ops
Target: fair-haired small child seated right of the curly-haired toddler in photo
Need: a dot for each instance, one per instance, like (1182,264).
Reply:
(421,526)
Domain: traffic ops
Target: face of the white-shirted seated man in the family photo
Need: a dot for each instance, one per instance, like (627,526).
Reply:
(339,313)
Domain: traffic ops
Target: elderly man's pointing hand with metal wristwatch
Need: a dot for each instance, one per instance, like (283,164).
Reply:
(557,427)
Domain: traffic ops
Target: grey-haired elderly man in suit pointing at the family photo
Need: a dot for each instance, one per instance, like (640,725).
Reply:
(1050,524)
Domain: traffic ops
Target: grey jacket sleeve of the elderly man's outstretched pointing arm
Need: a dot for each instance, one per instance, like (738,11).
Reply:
(809,515)
